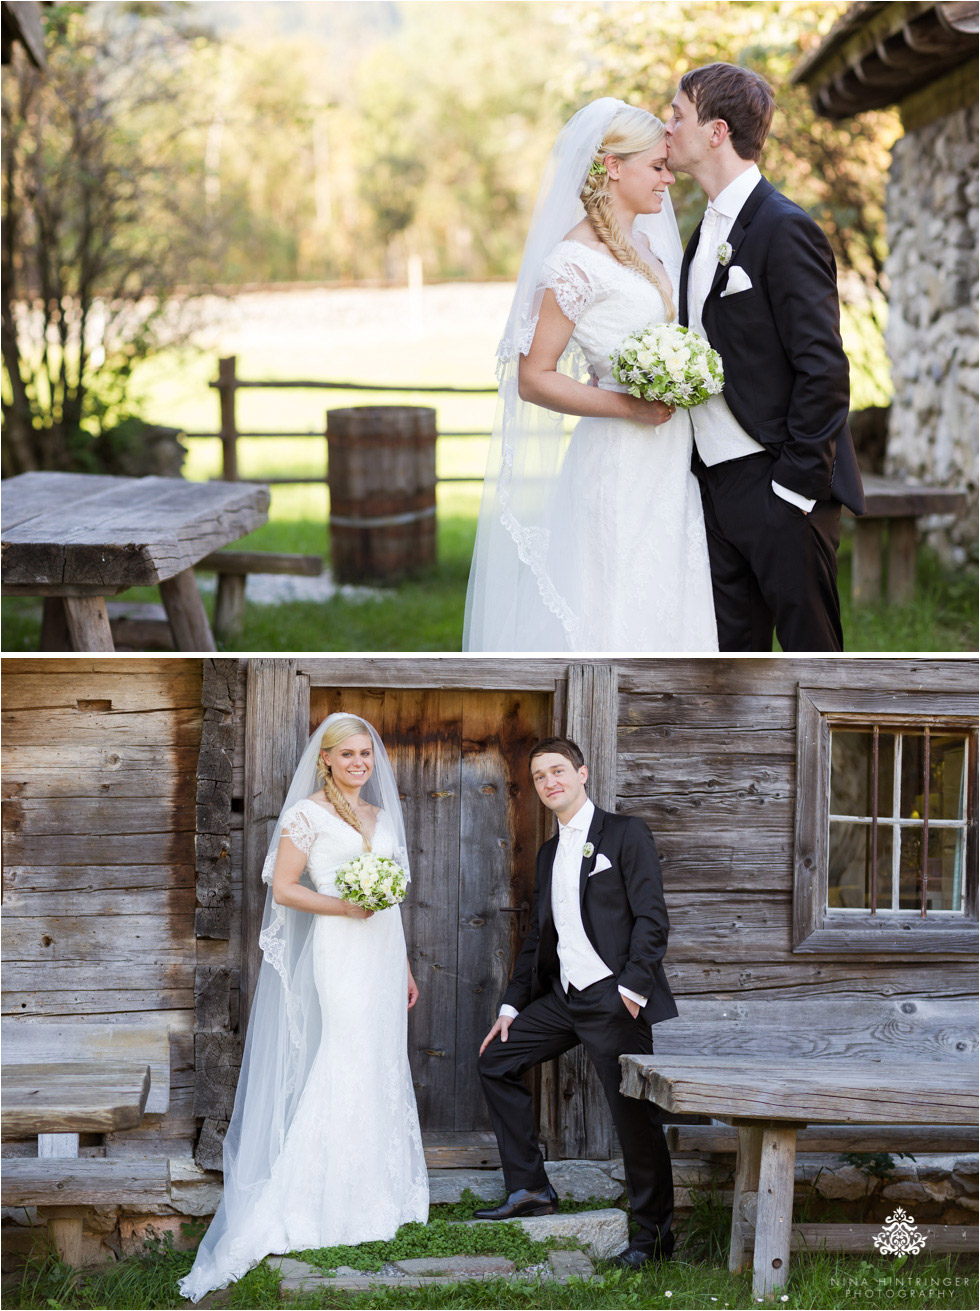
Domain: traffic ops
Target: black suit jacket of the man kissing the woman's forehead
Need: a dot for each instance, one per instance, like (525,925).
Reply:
(785,370)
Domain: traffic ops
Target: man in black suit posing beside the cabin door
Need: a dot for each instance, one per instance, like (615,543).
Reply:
(590,972)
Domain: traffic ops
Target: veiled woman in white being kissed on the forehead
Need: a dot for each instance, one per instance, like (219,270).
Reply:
(594,542)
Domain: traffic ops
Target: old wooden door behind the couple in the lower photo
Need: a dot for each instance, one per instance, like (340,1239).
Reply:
(474,825)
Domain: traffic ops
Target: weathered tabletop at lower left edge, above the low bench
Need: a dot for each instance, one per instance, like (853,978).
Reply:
(73,1098)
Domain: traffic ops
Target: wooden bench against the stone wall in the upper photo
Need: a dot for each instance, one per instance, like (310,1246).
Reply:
(894,508)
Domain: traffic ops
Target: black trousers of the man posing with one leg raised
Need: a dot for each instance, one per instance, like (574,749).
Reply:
(598,1019)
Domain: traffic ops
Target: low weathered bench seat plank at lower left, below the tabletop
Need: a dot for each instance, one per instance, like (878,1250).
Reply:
(90,1182)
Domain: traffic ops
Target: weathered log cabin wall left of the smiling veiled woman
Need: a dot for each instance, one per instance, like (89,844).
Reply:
(99,888)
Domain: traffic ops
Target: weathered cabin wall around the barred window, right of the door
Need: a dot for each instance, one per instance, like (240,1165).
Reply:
(708,757)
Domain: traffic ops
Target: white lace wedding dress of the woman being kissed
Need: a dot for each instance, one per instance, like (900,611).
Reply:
(626,566)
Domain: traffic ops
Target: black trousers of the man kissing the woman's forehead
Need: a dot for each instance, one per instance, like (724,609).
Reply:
(774,567)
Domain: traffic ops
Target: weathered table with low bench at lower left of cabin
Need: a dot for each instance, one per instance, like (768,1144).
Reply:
(58,1102)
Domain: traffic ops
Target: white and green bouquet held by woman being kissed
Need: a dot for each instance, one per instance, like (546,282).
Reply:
(669,364)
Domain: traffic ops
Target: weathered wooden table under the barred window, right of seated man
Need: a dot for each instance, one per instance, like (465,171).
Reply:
(771,1101)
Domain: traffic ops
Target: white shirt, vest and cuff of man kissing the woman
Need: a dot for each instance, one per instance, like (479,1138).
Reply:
(717,433)
